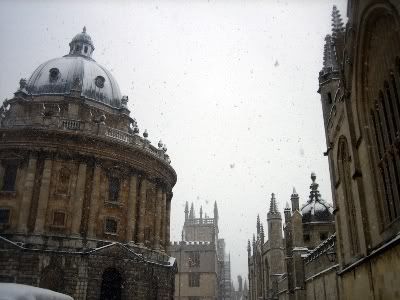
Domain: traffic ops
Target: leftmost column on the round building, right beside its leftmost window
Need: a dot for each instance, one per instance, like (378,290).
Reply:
(25,206)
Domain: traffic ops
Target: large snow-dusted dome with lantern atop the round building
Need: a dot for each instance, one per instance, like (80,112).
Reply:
(76,71)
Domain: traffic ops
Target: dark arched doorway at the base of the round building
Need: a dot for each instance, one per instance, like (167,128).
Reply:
(111,285)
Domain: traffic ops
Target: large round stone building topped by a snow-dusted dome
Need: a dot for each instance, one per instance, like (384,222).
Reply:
(84,200)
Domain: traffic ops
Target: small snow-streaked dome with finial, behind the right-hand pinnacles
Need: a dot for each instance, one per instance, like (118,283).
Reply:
(316,209)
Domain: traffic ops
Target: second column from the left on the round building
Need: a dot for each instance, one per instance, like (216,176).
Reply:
(43,196)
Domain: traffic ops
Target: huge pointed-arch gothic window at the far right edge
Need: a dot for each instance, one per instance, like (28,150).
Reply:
(381,89)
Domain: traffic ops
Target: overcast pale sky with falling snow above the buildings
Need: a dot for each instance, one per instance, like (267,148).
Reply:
(229,86)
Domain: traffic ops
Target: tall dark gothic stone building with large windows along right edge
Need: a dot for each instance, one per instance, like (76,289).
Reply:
(360,88)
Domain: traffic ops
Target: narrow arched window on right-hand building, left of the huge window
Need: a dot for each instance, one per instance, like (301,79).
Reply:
(344,167)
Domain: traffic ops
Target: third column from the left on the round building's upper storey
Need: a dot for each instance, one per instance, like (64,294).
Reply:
(79,194)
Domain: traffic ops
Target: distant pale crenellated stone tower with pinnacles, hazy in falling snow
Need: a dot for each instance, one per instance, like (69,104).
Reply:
(203,266)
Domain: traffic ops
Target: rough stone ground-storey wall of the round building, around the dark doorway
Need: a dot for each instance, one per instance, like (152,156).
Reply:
(79,274)
